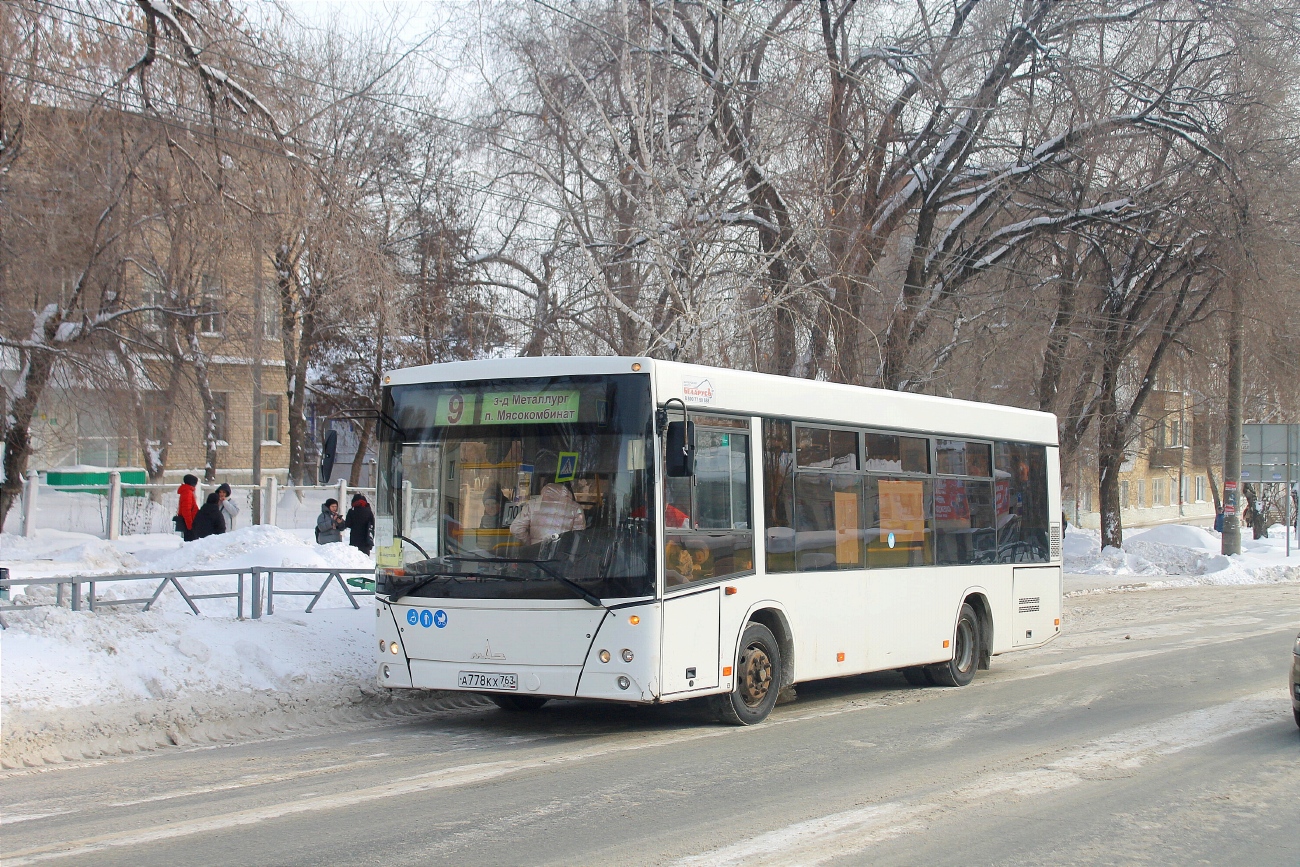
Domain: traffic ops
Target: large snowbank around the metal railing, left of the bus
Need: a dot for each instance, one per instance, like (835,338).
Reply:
(76,683)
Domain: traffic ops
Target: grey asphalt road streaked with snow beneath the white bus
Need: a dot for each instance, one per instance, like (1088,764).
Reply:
(1156,731)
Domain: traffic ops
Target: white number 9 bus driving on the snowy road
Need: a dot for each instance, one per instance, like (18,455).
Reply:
(643,532)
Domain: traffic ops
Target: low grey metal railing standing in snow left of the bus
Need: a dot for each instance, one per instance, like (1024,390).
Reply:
(261,596)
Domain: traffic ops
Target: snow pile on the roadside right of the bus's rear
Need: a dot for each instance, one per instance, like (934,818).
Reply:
(1182,556)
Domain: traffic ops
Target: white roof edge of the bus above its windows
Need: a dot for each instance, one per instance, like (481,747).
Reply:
(764,395)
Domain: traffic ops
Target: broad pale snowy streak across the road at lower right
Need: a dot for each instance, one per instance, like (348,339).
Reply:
(825,839)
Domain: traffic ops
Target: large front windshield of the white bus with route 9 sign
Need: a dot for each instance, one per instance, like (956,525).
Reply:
(518,489)
